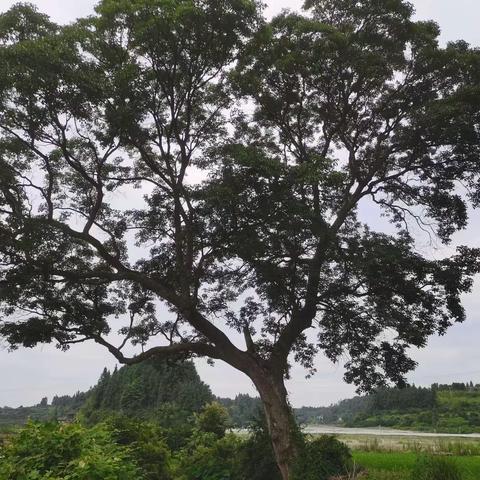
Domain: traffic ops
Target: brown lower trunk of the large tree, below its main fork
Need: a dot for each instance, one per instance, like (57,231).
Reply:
(280,420)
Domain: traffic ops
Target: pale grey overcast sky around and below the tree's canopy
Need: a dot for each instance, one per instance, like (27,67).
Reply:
(28,375)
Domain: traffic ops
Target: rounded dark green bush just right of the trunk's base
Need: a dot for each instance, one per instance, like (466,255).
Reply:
(322,458)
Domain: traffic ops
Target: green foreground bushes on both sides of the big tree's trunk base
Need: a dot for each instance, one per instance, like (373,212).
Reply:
(122,448)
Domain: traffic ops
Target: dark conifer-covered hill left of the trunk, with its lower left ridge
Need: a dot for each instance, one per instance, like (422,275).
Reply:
(137,390)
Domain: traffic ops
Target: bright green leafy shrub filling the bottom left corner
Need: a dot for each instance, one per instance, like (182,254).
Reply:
(48,451)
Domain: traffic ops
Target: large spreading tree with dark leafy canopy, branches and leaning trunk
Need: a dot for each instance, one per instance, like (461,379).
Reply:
(196,172)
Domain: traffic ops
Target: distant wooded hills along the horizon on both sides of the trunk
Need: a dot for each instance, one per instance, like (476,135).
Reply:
(156,389)
